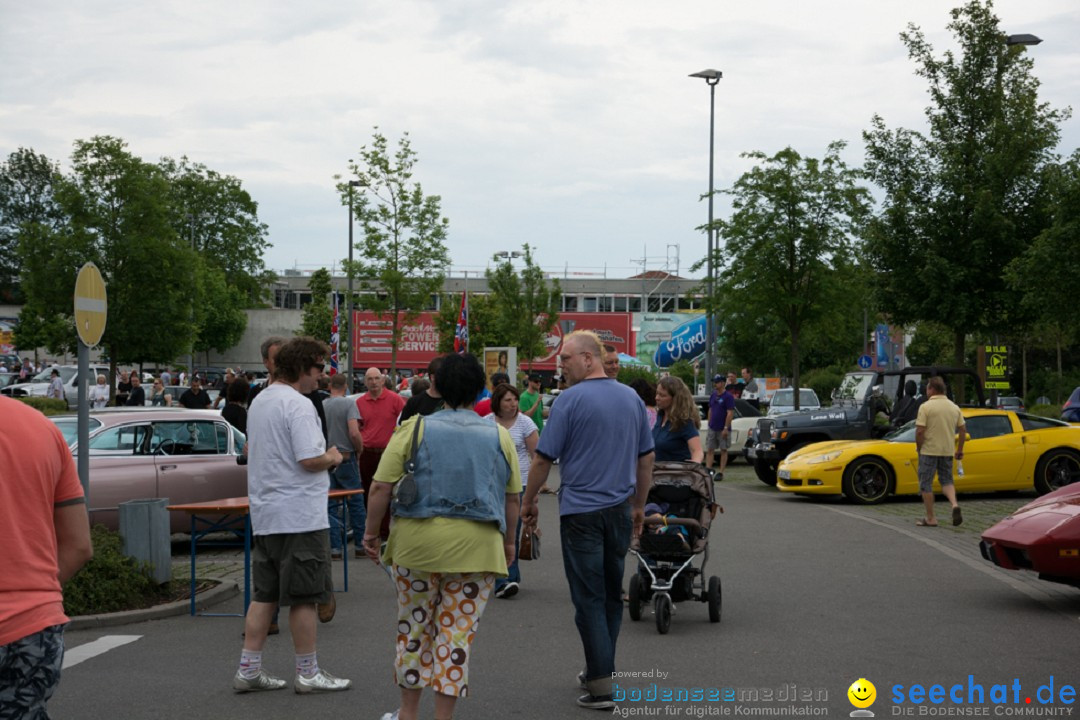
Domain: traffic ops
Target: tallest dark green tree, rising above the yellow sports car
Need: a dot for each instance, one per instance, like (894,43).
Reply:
(963,201)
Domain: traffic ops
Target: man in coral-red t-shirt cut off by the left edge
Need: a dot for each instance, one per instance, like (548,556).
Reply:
(47,540)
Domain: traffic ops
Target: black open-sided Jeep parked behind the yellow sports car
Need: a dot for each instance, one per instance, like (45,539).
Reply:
(854,416)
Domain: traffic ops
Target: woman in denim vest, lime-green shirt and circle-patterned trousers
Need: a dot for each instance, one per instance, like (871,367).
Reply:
(454,519)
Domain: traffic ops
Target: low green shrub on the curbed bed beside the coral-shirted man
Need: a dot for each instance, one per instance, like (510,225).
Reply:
(112,581)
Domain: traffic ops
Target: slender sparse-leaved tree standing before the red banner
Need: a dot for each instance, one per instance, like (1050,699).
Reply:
(402,253)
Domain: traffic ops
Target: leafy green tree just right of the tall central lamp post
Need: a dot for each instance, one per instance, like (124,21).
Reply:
(789,240)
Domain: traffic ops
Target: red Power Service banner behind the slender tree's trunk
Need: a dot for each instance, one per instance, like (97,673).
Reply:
(372,335)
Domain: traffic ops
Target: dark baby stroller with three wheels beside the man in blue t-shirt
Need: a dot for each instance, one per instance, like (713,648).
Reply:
(680,511)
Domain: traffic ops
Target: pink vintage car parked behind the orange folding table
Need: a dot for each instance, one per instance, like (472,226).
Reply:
(185,456)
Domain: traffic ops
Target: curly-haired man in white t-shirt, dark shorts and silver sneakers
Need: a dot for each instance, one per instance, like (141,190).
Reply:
(288,482)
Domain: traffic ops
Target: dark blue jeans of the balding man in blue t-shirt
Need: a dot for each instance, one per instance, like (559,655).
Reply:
(595,551)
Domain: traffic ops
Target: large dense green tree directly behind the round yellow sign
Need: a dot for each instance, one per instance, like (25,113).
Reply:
(117,216)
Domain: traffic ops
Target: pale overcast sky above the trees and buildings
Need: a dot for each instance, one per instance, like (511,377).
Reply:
(571,126)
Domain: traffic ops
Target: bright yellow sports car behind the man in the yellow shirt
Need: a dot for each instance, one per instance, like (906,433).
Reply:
(1005,451)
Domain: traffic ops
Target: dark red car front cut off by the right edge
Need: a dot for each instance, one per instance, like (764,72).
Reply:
(1044,537)
